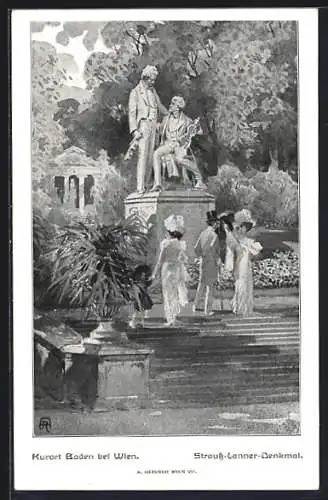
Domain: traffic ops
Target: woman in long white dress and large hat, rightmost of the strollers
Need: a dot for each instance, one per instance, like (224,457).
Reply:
(244,249)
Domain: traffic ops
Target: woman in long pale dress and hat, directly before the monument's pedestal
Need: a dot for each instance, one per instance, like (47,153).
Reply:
(171,262)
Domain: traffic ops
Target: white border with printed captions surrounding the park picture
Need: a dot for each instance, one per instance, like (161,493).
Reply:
(158,452)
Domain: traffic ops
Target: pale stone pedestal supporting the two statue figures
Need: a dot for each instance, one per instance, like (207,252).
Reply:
(156,207)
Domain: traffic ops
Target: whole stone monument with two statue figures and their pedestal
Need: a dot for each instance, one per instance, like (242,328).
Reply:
(172,159)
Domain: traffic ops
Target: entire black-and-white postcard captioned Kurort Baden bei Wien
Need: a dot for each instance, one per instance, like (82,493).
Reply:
(165,249)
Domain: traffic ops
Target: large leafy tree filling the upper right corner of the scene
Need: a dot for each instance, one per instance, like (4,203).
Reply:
(252,78)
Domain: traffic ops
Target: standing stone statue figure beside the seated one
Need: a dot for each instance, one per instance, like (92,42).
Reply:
(145,108)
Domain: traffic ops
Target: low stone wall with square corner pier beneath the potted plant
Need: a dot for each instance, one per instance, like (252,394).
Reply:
(102,375)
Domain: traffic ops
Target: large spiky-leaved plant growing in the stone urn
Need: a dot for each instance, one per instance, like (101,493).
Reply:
(93,265)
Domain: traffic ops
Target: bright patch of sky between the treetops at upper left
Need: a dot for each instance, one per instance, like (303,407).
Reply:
(75,48)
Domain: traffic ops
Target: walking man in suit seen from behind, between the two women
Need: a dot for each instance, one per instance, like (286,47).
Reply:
(207,249)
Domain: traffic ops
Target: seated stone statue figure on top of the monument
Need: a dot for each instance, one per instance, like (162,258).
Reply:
(174,146)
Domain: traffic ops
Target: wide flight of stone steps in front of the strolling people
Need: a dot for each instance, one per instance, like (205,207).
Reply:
(222,361)
